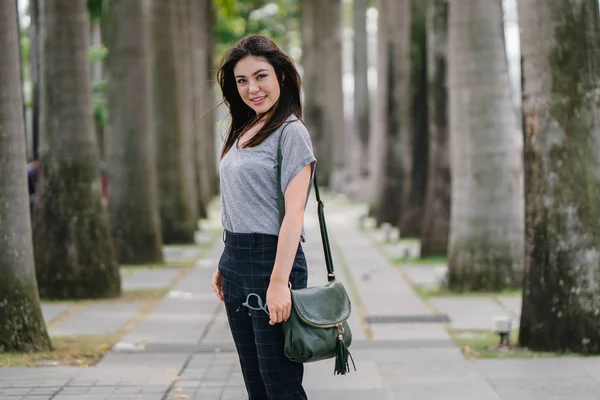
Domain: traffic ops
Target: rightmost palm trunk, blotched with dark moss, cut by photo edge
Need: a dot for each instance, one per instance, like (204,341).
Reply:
(561,68)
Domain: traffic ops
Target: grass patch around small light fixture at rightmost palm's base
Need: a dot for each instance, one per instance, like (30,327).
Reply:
(485,344)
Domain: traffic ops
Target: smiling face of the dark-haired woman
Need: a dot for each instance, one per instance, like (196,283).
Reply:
(257,83)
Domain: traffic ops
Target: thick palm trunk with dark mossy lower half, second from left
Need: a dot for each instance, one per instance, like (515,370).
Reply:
(73,250)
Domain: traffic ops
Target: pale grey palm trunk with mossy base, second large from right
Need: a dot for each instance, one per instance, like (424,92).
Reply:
(487,216)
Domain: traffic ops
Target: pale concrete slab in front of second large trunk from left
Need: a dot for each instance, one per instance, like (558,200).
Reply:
(98,319)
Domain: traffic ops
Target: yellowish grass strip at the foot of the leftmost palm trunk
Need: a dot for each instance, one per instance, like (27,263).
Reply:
(68,351)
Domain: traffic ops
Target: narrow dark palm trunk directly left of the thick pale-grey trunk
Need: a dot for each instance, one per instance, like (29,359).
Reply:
(436,220)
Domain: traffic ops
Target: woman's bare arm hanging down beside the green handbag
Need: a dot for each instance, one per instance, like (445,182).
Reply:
(279,300)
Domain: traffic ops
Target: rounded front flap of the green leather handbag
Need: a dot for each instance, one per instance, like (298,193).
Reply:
(322,305)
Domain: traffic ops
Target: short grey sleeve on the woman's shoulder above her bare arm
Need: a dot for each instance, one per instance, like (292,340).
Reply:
(296,151)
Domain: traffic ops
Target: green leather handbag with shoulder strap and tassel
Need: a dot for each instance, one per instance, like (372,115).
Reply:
(317,328)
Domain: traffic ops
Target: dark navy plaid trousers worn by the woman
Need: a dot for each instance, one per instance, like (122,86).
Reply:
(245,266)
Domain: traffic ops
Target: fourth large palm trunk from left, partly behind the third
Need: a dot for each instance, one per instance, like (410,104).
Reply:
(176,211)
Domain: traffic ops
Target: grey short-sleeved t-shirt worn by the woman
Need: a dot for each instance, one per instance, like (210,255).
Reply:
(249,198)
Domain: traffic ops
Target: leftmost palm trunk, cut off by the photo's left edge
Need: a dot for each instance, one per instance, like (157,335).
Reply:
(22,327)
